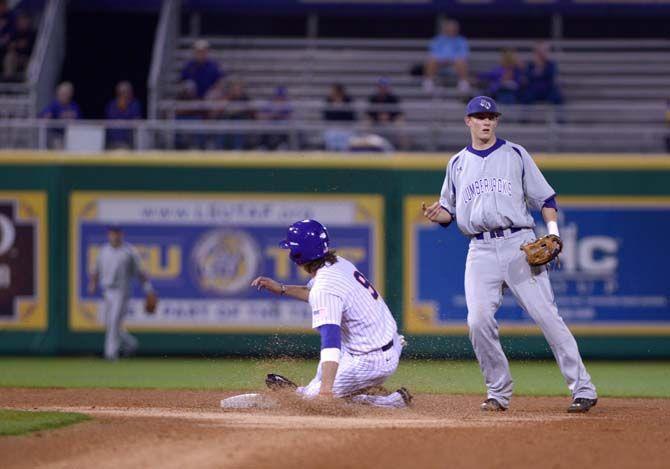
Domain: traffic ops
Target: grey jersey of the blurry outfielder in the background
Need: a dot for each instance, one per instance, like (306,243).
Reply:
(116,267)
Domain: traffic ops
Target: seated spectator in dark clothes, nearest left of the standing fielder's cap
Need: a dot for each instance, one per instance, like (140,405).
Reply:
(385,112)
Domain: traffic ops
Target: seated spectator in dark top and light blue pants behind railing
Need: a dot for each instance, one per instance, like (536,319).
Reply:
(338,108)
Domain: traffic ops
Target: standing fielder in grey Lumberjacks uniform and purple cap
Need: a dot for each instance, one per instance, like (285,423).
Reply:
(488,189)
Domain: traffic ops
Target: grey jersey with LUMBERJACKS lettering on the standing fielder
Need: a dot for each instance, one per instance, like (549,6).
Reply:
(491,189)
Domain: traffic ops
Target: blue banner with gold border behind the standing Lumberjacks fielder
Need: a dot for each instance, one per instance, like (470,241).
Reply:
(611,279)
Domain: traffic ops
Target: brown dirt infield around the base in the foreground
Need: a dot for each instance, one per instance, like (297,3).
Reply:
(179,429)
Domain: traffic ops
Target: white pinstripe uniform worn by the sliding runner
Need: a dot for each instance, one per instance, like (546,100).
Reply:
(371,347)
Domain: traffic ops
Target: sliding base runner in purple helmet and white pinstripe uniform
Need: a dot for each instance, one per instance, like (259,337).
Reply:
(360,345)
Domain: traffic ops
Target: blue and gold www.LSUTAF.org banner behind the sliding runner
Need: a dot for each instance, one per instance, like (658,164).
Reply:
(202,251)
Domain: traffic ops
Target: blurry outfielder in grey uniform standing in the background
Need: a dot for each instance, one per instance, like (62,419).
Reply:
(117,264)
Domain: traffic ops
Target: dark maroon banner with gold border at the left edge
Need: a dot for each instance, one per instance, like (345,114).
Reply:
(23,260)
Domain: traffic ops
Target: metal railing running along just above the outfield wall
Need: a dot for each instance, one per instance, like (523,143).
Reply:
(299,134)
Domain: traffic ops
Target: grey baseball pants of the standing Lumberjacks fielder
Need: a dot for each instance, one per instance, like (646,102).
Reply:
(496,262)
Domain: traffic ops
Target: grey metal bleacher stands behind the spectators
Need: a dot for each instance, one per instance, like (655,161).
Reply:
(615,90)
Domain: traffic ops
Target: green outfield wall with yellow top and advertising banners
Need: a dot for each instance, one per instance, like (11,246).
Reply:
(53,207)
